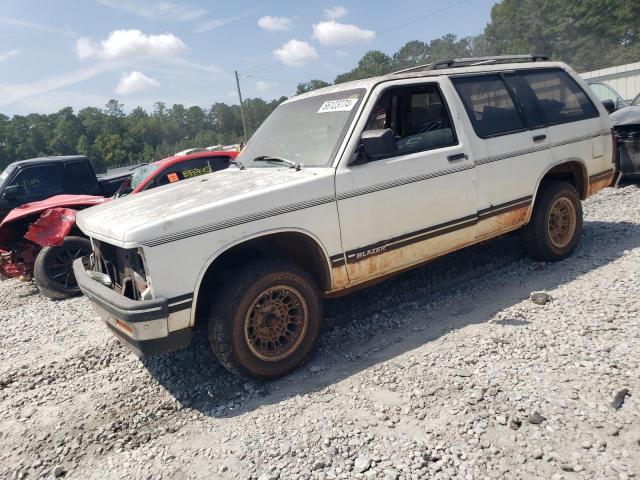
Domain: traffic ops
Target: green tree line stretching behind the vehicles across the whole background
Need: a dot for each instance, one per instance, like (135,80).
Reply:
(588,35)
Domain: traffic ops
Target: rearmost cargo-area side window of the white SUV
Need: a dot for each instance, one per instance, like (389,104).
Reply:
(560,98)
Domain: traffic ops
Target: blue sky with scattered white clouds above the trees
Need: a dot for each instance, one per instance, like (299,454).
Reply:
(83,52)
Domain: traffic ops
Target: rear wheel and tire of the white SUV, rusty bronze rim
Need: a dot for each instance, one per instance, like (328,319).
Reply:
(556,223)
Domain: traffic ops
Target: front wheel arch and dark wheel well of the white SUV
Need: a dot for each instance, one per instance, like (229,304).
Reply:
(302,247)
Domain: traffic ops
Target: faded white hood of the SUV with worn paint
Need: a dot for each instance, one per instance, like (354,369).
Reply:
(198,201)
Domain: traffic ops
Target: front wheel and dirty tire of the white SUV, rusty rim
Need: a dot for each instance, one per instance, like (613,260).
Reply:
(265,321)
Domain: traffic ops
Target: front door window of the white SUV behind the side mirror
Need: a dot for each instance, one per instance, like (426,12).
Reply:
(418,117)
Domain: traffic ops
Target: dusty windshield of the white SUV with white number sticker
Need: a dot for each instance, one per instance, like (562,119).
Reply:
(307,131)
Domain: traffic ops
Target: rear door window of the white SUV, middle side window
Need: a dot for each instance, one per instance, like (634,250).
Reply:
(489,105)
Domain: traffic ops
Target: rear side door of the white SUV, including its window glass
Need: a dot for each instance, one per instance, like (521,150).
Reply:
(515,147)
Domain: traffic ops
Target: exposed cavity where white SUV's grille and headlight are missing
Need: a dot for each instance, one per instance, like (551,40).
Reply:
(121,269)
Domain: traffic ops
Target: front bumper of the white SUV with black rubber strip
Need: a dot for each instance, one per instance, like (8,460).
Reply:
(141,325)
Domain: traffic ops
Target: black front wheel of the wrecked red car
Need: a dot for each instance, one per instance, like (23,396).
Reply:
(53,270)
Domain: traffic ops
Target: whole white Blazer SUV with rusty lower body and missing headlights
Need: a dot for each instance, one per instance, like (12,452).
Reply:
(342,187)
